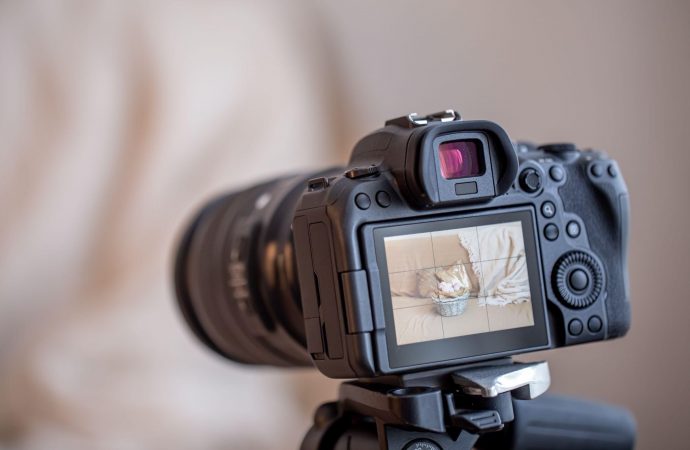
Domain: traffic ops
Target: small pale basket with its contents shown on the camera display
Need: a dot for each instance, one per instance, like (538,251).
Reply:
(452,291)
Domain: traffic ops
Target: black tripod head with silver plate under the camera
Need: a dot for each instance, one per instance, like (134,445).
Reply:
(486,405)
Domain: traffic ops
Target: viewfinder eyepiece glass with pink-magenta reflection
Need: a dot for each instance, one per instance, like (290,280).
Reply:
(461,159)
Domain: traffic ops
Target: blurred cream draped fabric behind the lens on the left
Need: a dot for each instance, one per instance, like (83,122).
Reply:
(116,120)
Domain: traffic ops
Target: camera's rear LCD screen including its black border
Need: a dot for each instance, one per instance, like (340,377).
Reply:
(461,288)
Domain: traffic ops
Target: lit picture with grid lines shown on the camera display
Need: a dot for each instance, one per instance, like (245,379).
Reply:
(458,282)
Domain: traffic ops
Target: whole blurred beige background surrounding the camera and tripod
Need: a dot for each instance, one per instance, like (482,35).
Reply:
(117,120)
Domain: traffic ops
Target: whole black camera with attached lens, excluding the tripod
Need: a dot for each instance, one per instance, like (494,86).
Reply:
(439,244)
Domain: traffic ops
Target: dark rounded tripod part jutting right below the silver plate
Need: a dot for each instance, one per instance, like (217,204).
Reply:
(564,423)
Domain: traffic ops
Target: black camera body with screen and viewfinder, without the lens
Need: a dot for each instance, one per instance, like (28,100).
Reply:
(442,243)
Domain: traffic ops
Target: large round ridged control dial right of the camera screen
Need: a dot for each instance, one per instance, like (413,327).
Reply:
(578,279)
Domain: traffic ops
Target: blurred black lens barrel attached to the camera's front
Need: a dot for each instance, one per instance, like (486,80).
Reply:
(235,276)
